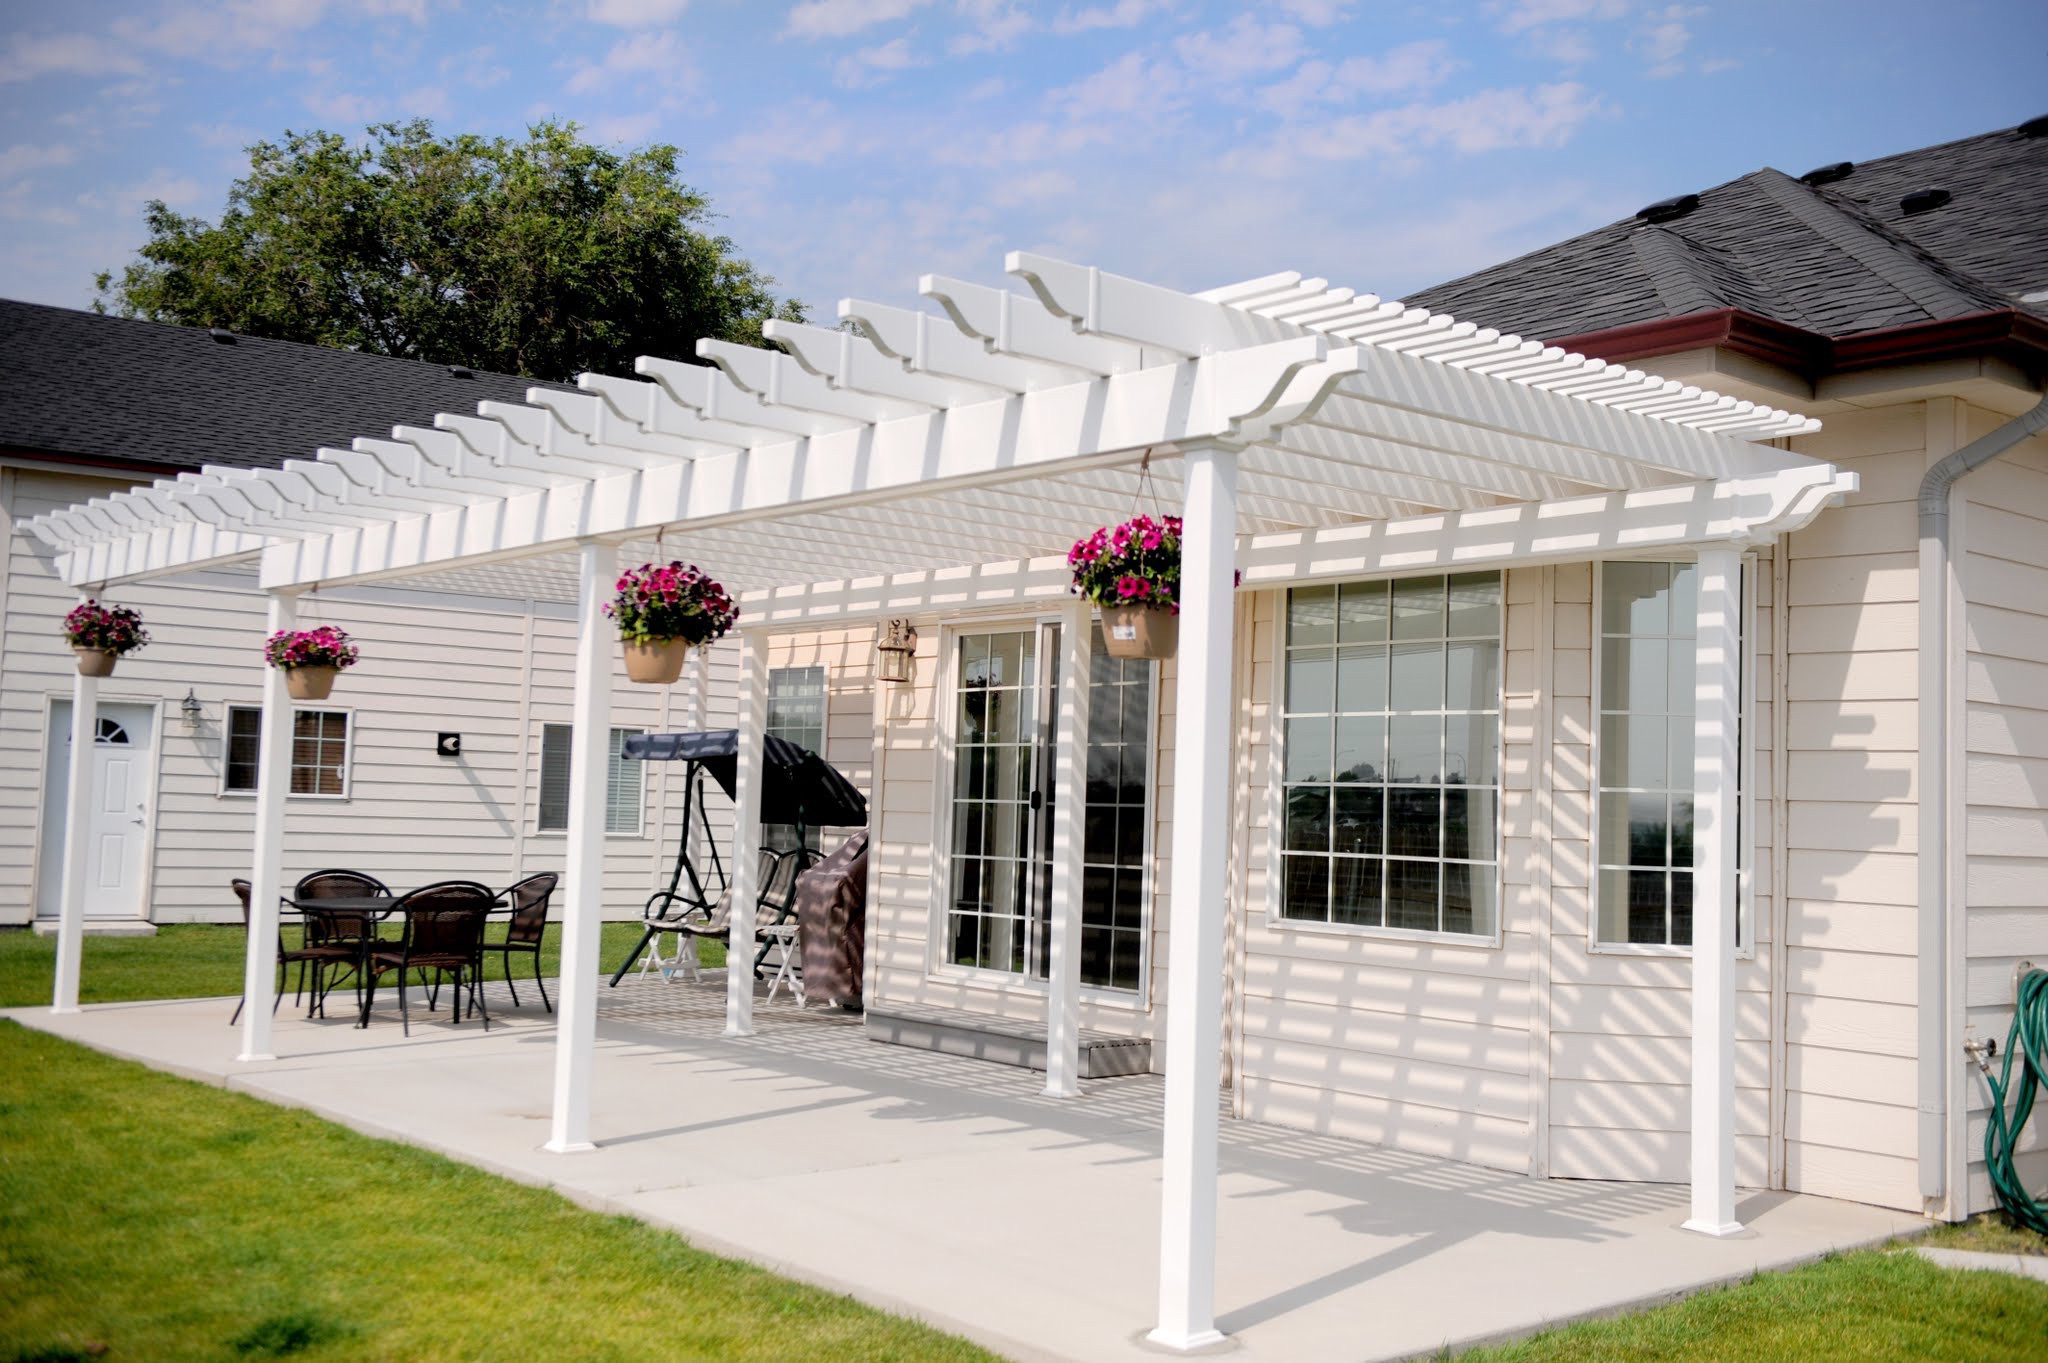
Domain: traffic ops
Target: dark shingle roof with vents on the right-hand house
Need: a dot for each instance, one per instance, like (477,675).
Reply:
(1840,259)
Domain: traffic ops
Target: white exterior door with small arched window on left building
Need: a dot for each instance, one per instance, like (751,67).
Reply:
(118,832)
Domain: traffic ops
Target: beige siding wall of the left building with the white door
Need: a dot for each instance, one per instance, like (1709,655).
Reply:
(488,670)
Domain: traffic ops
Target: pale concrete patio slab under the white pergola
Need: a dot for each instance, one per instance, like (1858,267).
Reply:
(955,1192)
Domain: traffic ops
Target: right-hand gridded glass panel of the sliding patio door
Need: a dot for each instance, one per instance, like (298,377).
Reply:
(1117,816)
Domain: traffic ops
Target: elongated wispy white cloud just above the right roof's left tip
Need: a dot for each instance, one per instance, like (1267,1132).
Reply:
(1486,122)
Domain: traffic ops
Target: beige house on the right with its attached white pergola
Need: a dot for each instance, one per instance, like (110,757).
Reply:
(1543,672)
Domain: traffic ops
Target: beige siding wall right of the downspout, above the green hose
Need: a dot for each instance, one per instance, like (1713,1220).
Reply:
(2002,558)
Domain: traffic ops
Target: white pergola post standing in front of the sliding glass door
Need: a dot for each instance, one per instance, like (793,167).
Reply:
(1070,803)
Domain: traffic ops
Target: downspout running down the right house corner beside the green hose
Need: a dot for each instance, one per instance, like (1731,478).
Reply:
(1934,762)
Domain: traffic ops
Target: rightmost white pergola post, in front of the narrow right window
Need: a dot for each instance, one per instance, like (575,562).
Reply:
(1715,793)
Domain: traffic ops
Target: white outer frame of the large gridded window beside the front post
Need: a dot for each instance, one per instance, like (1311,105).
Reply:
(1277,797)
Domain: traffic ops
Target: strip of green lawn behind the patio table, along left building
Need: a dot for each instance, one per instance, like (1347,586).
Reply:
(198,961)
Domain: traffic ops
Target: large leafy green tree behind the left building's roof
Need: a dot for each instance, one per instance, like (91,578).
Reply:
(544,257)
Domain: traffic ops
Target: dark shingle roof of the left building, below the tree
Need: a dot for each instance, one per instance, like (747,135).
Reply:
(148,394)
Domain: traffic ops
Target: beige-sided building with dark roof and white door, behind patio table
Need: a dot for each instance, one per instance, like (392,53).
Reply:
(91,406)
